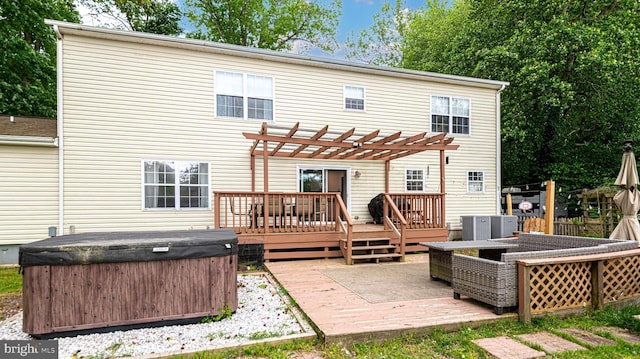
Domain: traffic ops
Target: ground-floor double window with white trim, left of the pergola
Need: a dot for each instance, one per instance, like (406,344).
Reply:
(176,184)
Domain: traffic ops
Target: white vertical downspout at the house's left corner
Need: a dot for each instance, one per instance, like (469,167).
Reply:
(60,112)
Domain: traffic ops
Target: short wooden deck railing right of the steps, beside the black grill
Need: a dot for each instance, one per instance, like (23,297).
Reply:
(420,210)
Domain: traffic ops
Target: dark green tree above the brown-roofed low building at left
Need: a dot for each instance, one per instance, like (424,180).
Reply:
(28,55)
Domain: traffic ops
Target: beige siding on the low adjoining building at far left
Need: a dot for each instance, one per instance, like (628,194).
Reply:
(28,193)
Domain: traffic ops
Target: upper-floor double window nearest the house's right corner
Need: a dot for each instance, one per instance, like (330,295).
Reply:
(450,114)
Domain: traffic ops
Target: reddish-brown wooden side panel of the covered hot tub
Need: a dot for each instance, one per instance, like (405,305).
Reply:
(114,294)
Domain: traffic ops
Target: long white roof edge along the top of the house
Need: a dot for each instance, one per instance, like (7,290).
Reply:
(243,51)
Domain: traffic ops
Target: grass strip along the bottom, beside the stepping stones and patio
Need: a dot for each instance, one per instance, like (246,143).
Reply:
(440,344)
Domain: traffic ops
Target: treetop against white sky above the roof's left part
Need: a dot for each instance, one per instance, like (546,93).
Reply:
(153,16)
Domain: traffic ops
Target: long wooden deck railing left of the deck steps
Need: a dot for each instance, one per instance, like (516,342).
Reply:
(277,212)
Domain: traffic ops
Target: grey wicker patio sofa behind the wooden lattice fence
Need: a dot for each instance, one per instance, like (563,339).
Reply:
(496,282)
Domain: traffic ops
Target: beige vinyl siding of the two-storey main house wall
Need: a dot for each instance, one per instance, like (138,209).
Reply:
(126,102)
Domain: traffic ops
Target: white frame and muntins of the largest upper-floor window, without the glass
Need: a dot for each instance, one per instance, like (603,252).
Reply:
(247,93)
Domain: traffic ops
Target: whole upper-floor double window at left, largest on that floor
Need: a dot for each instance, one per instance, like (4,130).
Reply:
(241,95)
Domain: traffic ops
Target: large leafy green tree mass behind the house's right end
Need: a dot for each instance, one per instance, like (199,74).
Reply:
(574,74)
